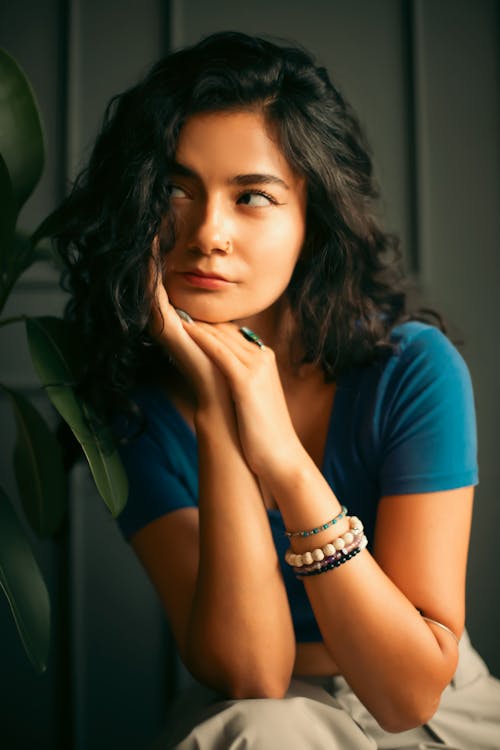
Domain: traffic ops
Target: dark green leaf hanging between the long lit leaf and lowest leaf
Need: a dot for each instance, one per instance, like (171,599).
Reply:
(38,467)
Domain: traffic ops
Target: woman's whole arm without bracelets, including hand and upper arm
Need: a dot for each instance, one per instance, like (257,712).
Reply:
(218,574)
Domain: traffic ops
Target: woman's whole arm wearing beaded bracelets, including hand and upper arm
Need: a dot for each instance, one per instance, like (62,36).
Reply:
(395,661)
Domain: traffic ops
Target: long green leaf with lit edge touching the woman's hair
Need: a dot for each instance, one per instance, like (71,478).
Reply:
(55,356)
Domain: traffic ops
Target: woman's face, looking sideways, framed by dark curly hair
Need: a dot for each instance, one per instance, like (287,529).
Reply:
(240,218)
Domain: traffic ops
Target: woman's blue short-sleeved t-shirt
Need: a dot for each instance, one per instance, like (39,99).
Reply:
(402,425)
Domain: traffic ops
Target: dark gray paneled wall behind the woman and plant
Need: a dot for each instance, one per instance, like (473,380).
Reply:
(423,76)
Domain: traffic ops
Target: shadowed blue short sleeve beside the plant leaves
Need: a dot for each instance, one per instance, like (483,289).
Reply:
(161,468)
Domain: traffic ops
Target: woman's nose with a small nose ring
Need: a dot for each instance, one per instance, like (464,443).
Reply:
(212,228)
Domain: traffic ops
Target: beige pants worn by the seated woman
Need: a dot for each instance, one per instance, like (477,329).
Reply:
(324,714)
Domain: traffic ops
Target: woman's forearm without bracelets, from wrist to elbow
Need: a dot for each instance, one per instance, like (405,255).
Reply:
(240,635)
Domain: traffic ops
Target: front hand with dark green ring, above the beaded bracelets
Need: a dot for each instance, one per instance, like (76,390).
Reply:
(268,438)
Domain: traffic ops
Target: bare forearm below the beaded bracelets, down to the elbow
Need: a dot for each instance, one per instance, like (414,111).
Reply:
(381,645)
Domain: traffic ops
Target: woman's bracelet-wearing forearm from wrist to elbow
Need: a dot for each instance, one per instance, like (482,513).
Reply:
(387,653)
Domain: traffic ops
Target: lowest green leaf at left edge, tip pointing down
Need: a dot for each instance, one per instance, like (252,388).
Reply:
(23,585)
